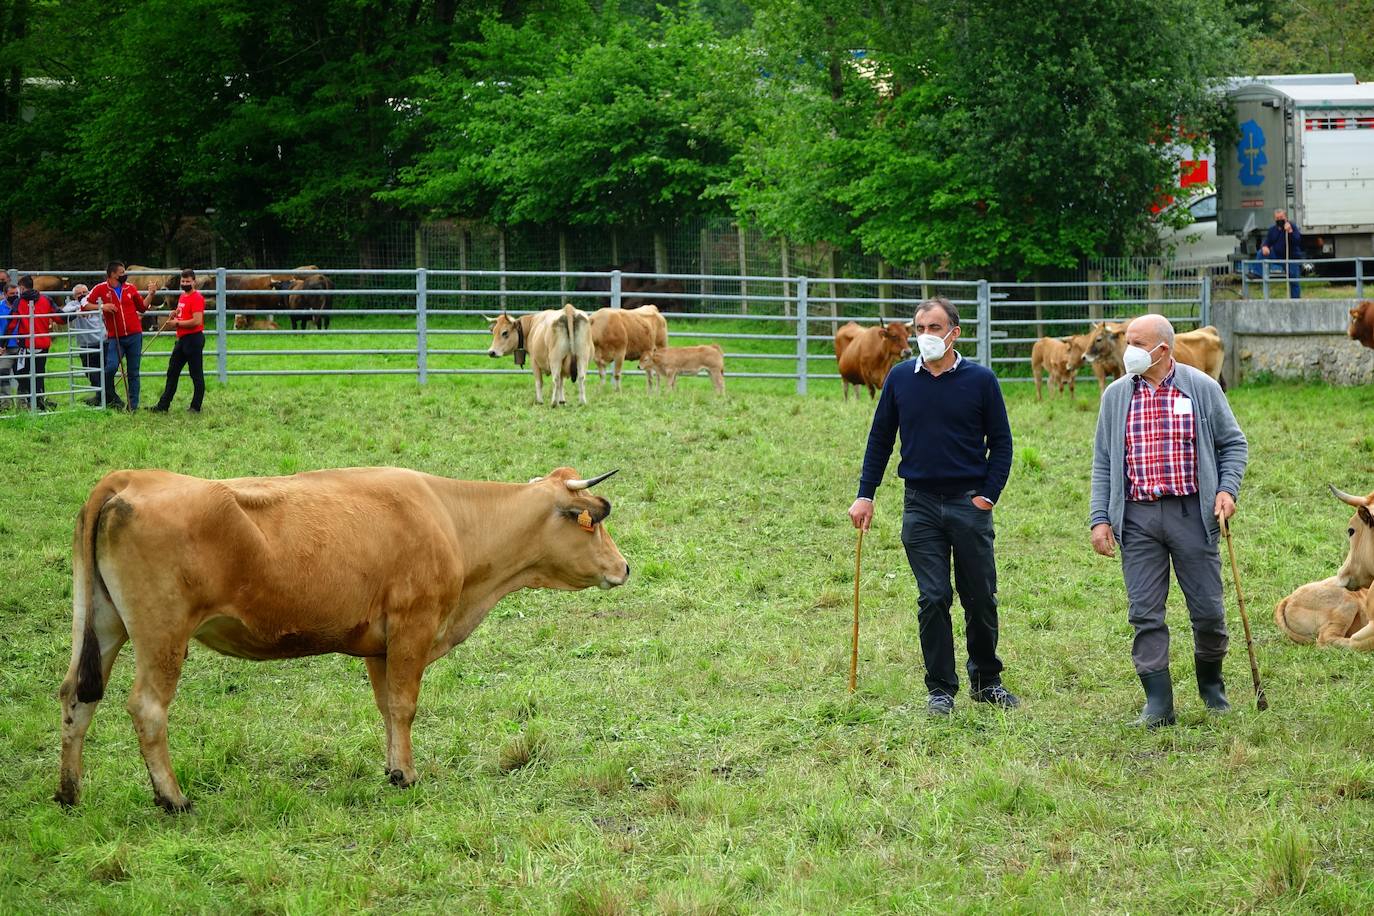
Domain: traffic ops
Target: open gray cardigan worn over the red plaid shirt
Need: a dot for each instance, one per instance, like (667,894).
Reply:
(1221,447)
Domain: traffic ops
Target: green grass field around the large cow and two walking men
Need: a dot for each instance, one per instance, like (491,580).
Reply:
(685,744)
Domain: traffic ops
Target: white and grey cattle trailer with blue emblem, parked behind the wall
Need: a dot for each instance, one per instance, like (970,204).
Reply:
(1307,148)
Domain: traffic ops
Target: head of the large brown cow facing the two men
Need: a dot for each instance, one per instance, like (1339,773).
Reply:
(578,550)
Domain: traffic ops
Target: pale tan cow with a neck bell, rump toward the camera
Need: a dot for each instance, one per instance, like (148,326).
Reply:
(559,341)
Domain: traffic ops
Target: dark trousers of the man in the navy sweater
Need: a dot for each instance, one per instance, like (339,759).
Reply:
(934,529)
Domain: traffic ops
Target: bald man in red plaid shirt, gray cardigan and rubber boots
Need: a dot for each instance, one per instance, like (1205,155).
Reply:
(1167,463)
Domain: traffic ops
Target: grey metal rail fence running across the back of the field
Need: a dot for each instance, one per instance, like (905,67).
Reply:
(427,323)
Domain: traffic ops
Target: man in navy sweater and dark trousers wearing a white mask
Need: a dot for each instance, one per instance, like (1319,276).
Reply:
(956,459)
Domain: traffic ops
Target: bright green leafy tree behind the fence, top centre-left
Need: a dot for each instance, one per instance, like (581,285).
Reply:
(634,128)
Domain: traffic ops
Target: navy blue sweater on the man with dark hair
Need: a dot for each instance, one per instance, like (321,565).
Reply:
(954,429)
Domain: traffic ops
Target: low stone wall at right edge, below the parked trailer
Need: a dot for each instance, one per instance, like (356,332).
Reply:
(1292,340)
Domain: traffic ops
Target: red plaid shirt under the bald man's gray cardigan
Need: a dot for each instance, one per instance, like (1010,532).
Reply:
(1160,443)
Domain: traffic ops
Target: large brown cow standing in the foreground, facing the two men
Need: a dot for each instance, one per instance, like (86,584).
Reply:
(390,565)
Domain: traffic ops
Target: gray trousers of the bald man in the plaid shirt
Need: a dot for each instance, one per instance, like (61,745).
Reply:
(1152,535)
